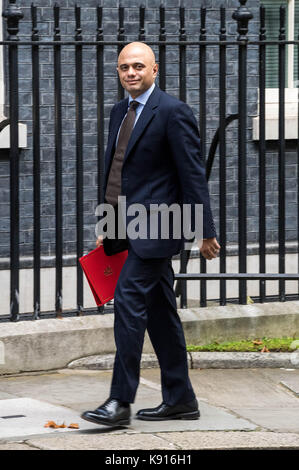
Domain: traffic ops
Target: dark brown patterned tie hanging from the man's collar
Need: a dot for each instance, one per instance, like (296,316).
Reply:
(113,189)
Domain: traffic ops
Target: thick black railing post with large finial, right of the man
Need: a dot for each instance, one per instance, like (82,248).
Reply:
(242,15)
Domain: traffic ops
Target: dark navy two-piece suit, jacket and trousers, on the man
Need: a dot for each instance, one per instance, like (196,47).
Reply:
(162,164)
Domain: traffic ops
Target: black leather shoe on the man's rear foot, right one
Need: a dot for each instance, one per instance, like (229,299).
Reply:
(162,412)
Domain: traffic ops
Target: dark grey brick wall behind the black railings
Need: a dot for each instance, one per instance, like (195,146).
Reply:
(110,23)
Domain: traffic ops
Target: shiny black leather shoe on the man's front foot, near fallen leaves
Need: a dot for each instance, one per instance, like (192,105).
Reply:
(112,413)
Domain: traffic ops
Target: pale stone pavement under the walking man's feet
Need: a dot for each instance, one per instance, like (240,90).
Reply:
(255,408)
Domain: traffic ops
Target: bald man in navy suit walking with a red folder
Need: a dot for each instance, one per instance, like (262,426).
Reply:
(152,156)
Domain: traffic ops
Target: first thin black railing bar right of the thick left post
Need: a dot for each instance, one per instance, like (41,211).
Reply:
(36,164)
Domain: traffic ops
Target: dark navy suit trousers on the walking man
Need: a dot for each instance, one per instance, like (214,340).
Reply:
(144,299)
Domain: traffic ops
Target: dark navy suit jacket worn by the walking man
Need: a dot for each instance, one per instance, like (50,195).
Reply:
(162,164)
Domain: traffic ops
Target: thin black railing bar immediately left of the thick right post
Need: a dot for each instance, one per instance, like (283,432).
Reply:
(222,152)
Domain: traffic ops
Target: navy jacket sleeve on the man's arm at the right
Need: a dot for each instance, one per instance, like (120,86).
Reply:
(184,141)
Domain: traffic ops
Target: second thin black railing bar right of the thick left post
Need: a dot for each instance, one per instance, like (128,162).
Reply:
(58,161)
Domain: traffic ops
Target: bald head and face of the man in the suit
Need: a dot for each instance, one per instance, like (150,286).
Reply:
(137,70)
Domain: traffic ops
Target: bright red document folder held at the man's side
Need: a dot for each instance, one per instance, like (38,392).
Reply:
(102,272)
